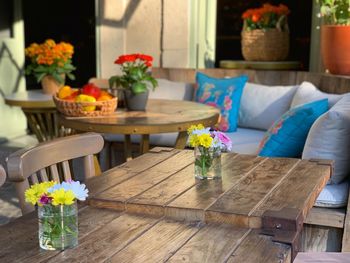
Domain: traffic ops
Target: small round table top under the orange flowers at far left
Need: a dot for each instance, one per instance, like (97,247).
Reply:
(30,99)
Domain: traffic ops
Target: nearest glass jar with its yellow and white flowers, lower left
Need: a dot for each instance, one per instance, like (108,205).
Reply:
(57,211)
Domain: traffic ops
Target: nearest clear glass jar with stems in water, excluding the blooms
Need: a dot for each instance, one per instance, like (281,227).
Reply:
(58,226)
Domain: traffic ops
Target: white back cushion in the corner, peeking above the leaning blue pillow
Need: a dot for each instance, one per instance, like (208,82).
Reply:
(307,92)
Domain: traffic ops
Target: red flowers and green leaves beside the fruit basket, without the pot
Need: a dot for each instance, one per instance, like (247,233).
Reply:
(135,73)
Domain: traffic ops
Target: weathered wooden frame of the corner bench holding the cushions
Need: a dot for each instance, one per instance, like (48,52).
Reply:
(325,229)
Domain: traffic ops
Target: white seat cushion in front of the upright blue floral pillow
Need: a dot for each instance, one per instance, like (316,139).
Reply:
(246,141)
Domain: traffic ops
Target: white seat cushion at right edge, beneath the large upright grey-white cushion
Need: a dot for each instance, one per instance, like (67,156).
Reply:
(333,195)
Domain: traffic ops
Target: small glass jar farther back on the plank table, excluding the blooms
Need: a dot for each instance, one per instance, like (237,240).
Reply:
(207,163)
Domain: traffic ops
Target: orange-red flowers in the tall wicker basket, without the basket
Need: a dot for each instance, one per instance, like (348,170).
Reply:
(267,16)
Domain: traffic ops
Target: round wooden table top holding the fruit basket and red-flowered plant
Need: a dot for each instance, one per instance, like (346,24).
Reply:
(161,116)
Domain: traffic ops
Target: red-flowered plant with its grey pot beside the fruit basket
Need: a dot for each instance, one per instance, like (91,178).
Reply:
(135,80)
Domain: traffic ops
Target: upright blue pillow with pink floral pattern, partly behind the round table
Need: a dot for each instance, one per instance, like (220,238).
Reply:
(224,94)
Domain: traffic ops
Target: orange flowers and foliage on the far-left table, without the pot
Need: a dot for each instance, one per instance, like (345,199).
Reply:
(50,58)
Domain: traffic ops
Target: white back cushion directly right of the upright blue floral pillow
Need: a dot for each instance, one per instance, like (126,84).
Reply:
(262,105)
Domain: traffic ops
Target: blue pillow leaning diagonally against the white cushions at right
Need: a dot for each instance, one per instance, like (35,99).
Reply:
(287,136)
